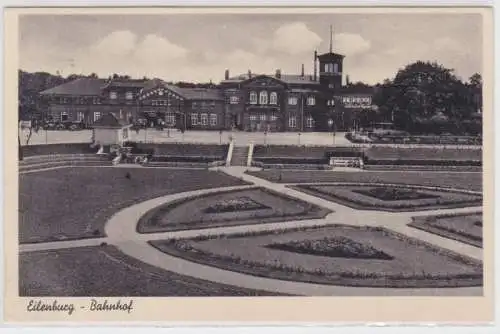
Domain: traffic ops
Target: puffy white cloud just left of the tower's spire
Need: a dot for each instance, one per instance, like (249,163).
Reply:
(295,38)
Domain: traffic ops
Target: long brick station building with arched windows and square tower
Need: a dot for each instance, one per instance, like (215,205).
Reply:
(248,102)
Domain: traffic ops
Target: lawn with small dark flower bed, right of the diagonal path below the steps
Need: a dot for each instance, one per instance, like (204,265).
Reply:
(394,199)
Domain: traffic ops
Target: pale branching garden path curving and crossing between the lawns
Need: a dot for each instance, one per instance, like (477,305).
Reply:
(121,232)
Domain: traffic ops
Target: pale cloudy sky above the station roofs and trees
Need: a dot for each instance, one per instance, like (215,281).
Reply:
(200,47)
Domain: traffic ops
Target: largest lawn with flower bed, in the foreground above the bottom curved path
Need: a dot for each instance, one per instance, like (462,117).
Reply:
(336,254)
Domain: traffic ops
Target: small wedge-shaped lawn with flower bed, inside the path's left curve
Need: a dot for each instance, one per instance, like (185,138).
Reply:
(228,208)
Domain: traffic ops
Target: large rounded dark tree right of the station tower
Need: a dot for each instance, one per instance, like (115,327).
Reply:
(420,91)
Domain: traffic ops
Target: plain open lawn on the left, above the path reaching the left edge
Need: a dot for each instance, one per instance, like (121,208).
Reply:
(73,203)
